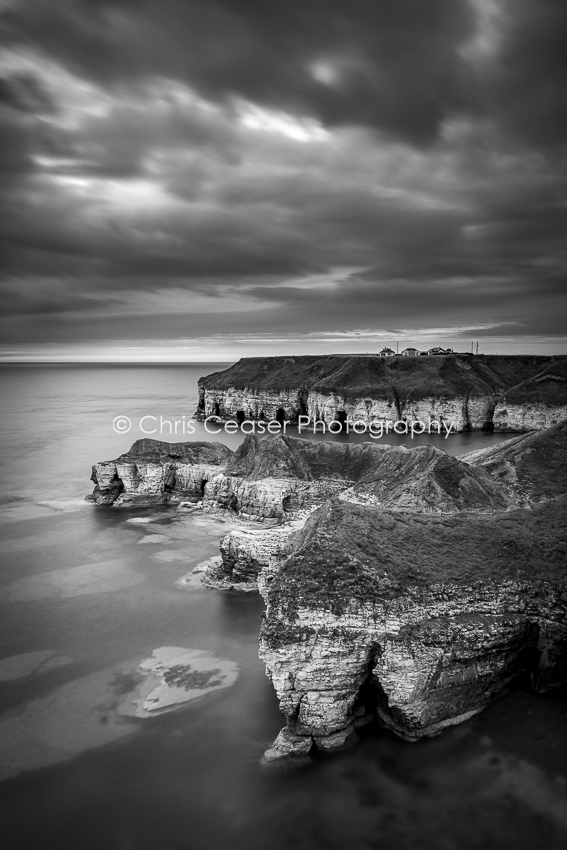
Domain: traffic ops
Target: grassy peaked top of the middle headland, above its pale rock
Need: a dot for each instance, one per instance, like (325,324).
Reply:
(526,469)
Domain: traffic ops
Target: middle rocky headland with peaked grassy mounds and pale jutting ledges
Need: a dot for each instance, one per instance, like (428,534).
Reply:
(280,481)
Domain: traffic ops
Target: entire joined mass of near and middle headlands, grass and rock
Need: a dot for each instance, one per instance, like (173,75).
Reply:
(400,583)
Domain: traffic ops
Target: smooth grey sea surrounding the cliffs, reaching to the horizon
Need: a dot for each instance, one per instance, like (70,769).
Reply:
(86,595)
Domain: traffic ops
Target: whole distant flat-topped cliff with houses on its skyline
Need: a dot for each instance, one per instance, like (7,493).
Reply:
(484,392)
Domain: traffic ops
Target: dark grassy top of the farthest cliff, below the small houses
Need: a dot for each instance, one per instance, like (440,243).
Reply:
(408,377)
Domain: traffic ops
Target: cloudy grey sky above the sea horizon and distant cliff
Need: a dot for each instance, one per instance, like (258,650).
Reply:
(210,179)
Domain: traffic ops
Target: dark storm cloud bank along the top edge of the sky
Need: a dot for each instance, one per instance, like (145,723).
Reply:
(395,63)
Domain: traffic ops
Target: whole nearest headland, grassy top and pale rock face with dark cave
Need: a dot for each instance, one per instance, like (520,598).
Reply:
(418,619)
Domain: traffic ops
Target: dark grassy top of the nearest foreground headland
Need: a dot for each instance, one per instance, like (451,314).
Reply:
(350,552)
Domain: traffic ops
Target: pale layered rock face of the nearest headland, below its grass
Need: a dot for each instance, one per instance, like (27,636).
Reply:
(422,661)
